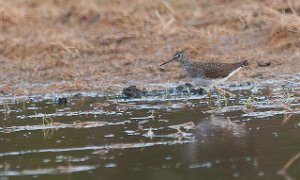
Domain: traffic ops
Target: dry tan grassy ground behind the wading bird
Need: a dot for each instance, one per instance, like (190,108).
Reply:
(94,45)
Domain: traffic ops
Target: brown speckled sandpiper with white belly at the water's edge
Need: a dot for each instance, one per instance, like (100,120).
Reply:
(207,74)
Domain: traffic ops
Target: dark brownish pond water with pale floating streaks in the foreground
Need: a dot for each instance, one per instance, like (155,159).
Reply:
(165,136)
